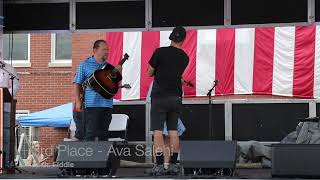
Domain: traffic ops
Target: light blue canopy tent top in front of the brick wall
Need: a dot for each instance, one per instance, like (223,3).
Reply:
(60,116)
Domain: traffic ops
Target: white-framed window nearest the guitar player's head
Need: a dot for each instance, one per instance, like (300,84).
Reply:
(61,49)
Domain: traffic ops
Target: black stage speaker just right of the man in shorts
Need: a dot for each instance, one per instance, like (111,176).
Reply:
(208,155)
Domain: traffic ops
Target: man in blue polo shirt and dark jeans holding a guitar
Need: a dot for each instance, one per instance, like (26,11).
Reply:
(98,110)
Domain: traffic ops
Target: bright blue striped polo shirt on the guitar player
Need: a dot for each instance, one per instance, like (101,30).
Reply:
(84,71)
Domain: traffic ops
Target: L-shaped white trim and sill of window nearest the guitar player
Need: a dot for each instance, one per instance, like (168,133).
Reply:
(60,62)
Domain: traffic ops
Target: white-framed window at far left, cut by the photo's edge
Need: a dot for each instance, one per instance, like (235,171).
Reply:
(17,45)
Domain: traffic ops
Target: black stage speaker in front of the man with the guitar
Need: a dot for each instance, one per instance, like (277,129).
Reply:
(77,155)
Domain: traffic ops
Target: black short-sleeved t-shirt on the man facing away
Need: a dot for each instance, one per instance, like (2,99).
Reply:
(169,64)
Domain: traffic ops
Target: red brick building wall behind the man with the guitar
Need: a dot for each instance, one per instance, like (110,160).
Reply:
(44,87)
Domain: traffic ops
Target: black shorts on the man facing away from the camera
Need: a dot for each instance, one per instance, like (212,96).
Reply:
(165,109)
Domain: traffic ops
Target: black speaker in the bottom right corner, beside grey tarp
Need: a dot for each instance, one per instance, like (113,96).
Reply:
(295,160)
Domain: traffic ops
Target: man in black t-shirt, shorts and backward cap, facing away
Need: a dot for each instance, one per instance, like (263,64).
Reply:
(167,65)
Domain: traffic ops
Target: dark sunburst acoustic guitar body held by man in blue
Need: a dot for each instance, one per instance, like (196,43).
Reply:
(104,82)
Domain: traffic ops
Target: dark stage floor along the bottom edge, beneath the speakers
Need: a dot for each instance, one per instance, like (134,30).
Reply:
(129,173)
